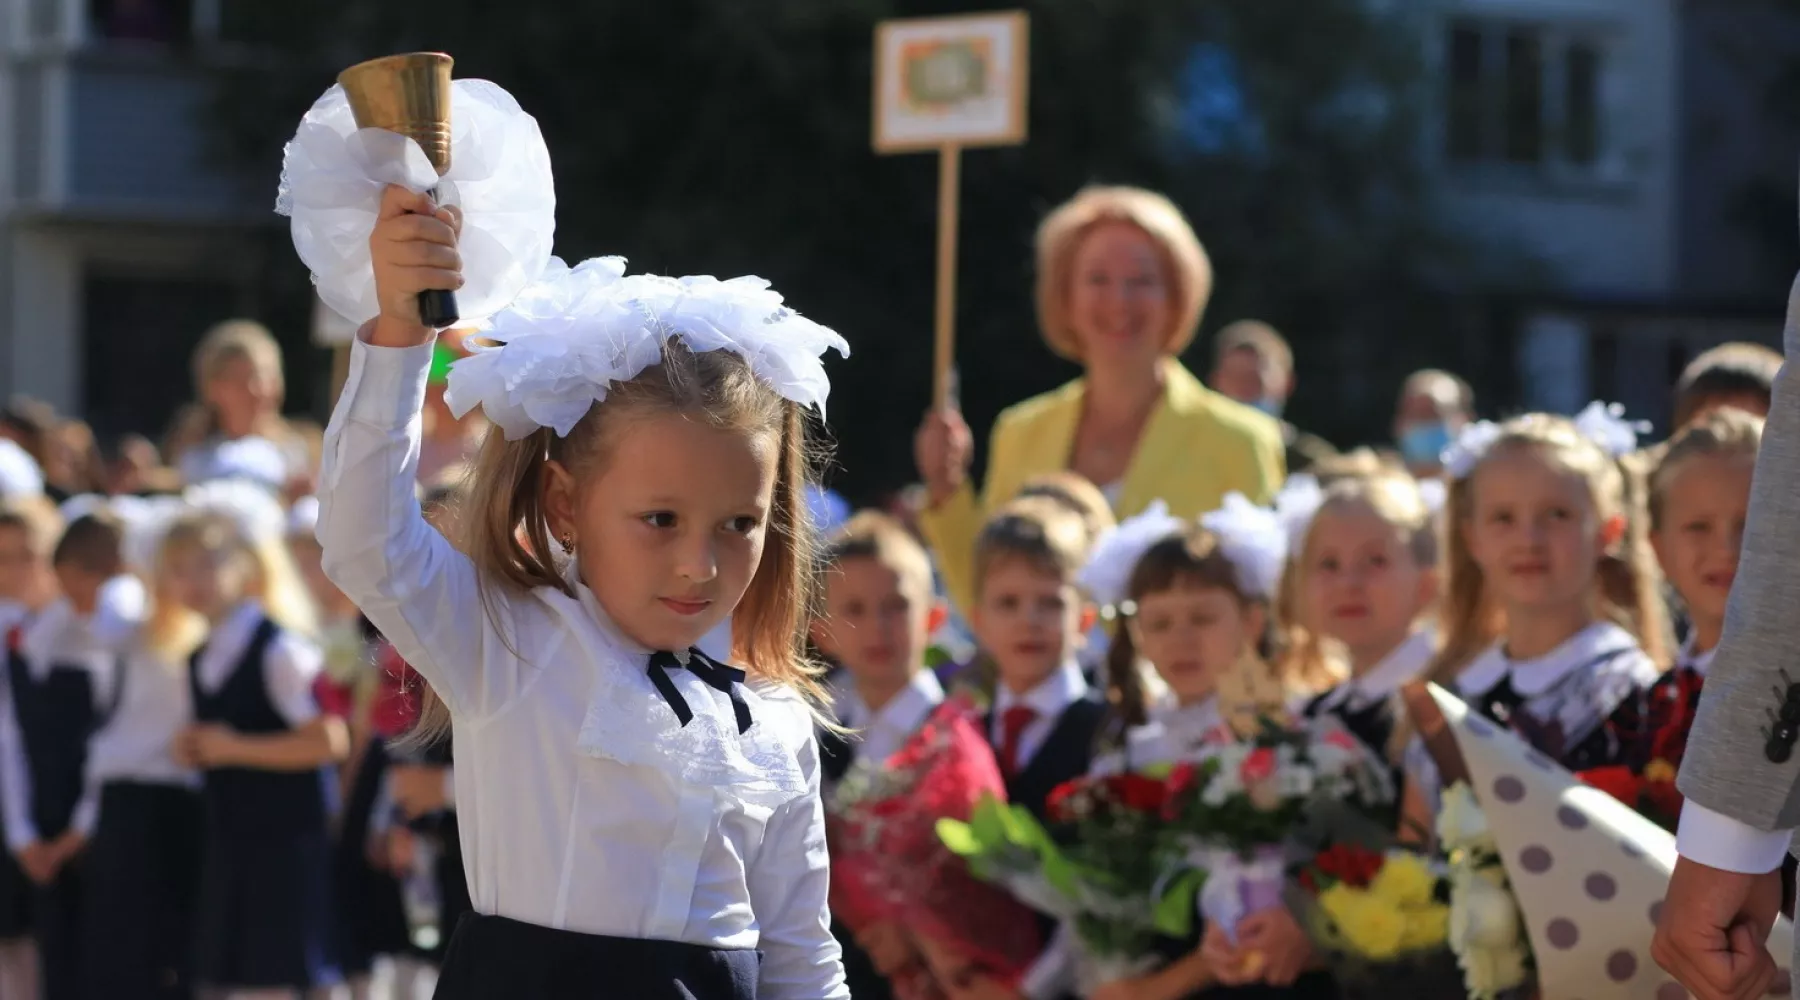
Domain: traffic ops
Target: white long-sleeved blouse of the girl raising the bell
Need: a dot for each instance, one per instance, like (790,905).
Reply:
(584,803)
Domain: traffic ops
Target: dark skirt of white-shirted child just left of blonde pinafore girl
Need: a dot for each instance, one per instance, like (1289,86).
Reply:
(139,911)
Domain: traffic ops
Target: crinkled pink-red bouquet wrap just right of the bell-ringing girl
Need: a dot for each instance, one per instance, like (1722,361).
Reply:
(888,864)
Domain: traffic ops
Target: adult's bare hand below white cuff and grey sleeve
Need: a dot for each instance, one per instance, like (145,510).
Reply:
(1714,931)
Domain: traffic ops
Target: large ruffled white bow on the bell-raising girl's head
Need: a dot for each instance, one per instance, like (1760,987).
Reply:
(566,341)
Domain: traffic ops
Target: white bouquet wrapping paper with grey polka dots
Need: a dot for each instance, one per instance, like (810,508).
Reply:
(1587,871)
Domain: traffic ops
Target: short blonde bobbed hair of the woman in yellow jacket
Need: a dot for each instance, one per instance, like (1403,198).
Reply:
(1059,240)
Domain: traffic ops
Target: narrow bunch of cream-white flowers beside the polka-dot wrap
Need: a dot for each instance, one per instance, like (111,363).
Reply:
(1486,929)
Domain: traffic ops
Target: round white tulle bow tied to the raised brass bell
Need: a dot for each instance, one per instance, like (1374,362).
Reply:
(334,174)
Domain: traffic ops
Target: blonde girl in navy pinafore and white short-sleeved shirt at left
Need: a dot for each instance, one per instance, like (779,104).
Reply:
(264,925)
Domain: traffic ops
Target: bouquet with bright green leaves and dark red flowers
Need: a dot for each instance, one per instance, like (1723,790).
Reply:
(1101,875)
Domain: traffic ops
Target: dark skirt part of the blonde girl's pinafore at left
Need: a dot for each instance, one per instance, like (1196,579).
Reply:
(265,911)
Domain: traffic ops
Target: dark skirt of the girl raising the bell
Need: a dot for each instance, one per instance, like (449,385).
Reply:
(501,958)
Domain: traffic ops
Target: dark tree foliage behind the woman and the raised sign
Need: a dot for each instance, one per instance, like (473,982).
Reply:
(733,136)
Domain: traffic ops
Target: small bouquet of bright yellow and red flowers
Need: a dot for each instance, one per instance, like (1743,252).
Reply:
(1381,920)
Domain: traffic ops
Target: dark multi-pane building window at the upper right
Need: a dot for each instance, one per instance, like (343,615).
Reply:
(1524,94)
